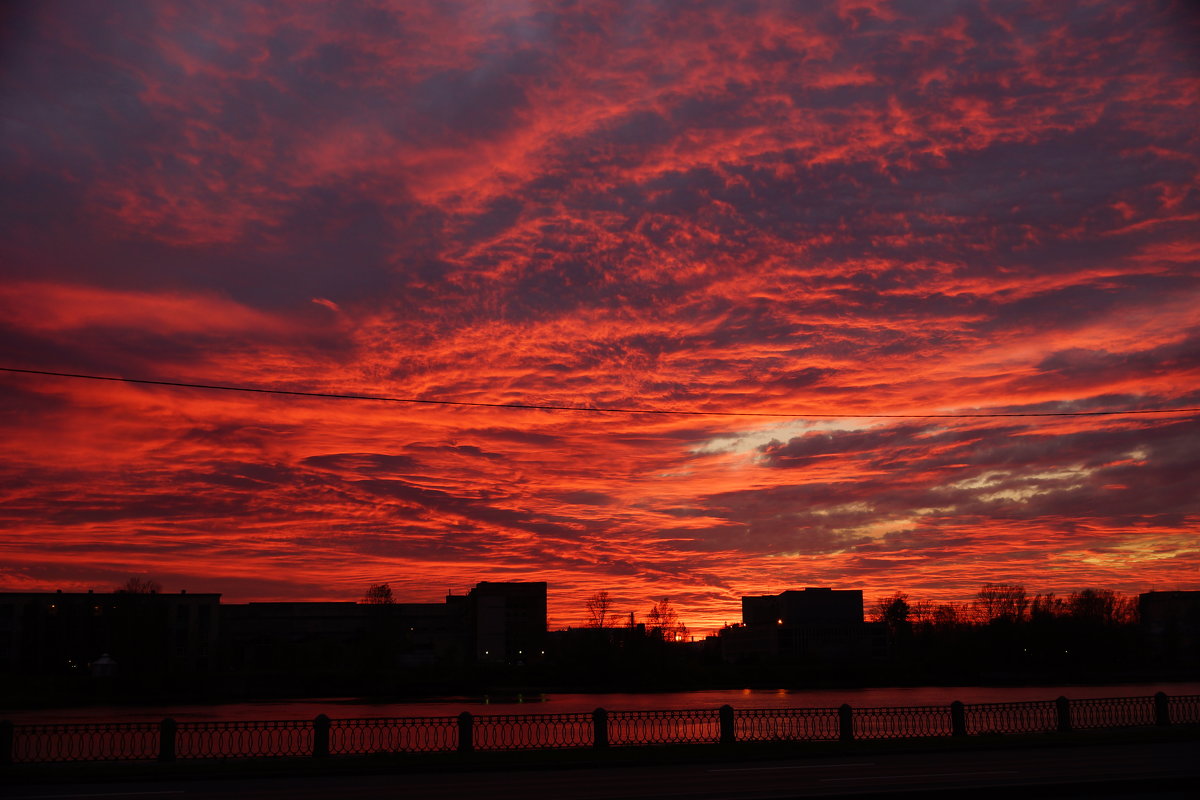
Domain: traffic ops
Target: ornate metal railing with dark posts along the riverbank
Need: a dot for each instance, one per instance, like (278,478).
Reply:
(169,741)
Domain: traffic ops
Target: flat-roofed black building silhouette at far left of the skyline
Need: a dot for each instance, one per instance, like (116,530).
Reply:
(143,635)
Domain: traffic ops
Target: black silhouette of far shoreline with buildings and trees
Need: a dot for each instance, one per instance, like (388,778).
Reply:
(145,647)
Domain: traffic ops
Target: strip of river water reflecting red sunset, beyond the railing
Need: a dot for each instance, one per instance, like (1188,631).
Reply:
(352,708)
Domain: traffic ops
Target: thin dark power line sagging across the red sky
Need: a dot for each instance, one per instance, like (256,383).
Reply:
(595,410)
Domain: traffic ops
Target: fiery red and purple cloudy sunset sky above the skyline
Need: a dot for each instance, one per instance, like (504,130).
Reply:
(773,208)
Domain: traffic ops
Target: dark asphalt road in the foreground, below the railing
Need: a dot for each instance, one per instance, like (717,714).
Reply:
(1163,771)
